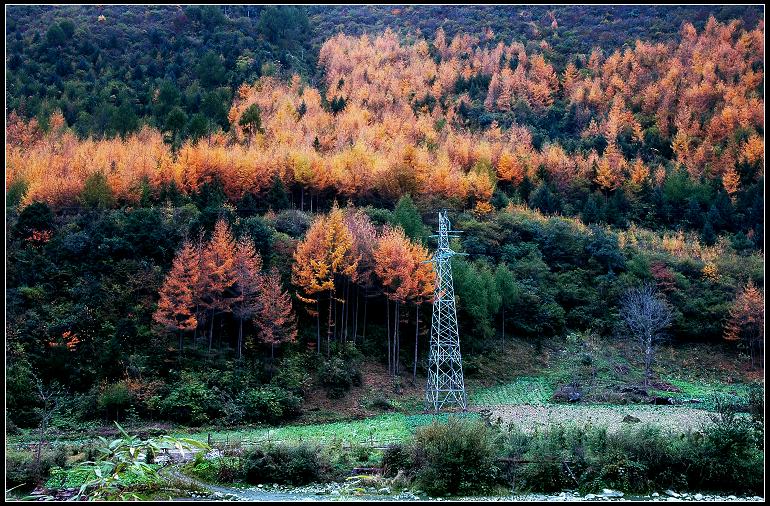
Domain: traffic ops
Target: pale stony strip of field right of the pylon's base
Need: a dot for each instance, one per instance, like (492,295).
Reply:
(674,418)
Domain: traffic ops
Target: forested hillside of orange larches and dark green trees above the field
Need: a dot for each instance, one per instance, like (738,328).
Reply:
(213,211)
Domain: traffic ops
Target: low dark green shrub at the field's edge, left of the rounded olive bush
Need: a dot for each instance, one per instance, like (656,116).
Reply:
(292,465)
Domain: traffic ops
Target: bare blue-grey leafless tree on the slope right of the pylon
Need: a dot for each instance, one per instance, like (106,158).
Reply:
(645,314)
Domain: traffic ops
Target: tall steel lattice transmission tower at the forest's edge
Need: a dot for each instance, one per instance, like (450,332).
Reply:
(445,367)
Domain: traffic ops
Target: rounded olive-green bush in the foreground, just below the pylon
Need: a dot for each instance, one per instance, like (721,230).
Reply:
(456,457)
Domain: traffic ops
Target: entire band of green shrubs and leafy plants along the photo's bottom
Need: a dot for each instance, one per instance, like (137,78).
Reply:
(458,456)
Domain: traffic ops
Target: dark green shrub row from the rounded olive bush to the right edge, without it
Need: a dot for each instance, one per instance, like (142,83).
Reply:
(726,458)
